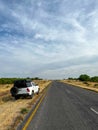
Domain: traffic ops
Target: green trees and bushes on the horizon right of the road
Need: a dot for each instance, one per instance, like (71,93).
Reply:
(85,77)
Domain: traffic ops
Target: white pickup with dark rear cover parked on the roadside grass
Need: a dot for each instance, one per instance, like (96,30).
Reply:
(24,87)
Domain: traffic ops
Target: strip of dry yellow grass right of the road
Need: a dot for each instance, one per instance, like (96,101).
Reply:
(87,85)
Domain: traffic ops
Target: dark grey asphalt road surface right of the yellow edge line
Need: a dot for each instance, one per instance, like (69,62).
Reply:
(66,107)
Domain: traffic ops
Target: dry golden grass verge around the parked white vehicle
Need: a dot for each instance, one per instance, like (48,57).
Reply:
(13,111)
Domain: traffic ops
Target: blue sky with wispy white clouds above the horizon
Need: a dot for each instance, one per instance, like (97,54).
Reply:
(50,39)
